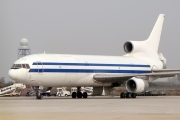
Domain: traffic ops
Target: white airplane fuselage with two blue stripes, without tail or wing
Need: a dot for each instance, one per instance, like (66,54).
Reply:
(74,70)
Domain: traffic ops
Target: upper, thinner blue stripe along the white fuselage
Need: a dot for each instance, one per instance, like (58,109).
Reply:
(91,64)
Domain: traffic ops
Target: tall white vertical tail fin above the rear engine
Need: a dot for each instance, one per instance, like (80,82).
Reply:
(155,35)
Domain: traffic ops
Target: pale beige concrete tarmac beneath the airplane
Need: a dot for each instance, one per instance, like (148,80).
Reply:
(93,108)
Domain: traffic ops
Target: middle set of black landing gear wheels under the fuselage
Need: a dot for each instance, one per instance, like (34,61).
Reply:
(79,94)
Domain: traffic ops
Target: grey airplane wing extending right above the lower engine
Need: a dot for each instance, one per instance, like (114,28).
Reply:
(110,78)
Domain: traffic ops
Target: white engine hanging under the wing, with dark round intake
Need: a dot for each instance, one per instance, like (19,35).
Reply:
(137,85)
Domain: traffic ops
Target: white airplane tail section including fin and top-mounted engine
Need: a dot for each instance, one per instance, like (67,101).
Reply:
(148,49)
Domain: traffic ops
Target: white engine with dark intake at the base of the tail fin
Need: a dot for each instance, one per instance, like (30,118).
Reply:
(134,46)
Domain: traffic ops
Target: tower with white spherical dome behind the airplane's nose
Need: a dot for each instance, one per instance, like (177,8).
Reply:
(24,49)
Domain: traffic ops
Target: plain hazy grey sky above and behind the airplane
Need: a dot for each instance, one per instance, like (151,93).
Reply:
(94,27)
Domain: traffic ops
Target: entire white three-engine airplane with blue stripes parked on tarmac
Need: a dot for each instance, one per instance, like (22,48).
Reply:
(141,64)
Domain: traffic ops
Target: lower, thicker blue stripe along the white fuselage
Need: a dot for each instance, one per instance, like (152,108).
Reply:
(88,71)
